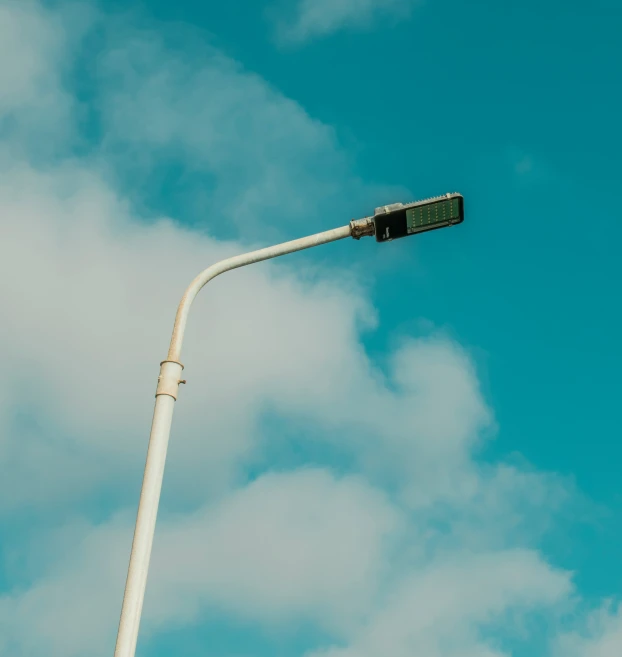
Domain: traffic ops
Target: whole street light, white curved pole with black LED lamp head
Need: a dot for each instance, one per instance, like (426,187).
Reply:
(389,222)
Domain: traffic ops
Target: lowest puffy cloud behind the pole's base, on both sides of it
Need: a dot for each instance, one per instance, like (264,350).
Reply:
(291,545)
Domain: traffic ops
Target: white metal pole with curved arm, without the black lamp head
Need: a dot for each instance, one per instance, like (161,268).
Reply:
(166,394)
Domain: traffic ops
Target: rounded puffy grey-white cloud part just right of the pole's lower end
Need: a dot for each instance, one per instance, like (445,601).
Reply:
(288,545)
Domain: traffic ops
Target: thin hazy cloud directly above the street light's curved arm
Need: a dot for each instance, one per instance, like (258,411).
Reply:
(251,159)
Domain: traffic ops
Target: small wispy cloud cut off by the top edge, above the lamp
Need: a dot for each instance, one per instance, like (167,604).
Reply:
(317,18)
